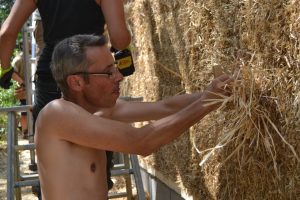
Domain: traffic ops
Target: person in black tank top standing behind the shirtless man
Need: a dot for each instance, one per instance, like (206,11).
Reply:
(60,19)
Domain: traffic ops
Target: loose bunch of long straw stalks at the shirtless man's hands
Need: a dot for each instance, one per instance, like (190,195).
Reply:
(250,120)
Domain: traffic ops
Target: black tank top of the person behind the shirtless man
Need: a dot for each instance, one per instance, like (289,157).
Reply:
(65,18)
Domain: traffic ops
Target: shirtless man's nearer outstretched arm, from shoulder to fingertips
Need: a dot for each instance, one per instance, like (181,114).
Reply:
(80,127)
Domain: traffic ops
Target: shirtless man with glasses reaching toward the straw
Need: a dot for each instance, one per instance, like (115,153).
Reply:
(73,133)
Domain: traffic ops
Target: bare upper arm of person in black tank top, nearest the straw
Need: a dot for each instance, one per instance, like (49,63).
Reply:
(113,11)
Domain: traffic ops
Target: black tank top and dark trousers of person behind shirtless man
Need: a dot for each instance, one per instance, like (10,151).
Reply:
(62,19)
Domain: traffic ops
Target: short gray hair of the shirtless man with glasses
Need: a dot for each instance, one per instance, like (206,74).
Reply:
(69,56)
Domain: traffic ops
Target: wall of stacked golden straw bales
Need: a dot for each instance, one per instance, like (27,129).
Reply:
(250,148)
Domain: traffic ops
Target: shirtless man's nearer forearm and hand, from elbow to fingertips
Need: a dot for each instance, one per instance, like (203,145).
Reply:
(167,129)
